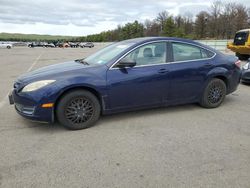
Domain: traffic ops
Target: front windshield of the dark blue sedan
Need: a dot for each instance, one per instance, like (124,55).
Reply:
(106,54)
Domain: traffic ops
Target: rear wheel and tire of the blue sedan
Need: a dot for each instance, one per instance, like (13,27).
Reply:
(214,93)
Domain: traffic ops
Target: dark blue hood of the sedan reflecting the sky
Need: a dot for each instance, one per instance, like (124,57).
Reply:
(52,71)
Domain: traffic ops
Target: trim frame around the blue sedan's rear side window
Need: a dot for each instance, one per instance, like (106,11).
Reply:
(172,52)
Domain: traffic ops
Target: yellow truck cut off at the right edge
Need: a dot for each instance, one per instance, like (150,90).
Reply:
(241,44)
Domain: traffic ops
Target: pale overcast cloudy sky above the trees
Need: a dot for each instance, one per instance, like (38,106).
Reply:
(83,17)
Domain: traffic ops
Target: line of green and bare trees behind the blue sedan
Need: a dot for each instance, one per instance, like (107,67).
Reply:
(221,21)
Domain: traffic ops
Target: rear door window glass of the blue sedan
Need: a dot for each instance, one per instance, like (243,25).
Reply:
(184,52)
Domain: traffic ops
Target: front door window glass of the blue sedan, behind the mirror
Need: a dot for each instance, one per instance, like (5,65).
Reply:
(154,53)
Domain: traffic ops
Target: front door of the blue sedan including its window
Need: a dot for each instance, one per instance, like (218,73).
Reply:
(142,85)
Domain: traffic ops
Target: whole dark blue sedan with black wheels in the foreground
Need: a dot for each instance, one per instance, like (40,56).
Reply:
(128,75)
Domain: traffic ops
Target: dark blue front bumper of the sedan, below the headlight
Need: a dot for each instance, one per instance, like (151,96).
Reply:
(29,108)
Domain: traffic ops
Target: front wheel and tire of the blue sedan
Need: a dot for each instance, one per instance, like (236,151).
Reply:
(79,109)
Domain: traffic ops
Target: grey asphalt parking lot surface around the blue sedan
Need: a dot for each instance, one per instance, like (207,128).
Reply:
(183,146)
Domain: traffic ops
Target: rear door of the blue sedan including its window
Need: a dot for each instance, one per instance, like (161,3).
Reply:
(188,70)
